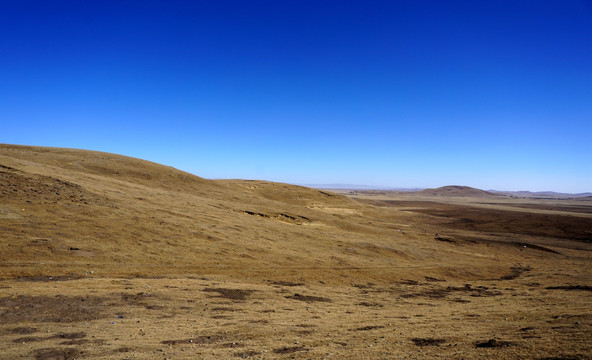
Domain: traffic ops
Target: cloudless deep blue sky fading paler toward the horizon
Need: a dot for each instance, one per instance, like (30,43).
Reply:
(490,94)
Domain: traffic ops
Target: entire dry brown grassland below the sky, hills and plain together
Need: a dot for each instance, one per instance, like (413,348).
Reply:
(108,257)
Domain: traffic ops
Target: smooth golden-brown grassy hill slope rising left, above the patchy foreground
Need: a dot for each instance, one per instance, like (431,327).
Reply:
(66,211)
